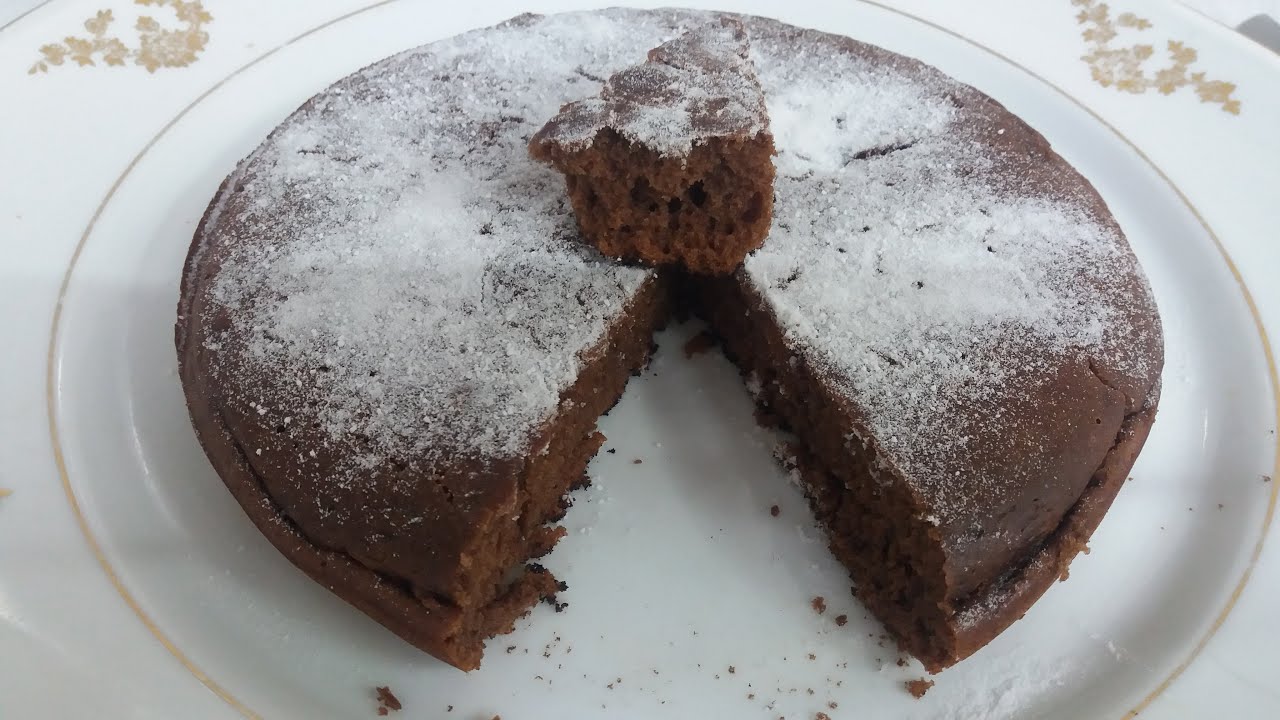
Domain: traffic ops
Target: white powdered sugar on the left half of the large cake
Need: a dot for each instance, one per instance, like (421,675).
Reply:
(405,265)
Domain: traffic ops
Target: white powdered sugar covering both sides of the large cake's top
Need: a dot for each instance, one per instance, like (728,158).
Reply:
(392,270)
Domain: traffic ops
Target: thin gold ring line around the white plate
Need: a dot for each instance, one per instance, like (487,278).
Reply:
(97,549)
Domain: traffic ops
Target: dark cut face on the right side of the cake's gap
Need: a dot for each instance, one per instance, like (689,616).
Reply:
(875,527)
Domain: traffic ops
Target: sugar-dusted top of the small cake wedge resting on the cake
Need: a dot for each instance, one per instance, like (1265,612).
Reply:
(698,86)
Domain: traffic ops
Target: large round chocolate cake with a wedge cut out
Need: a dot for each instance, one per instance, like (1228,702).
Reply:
(395,345)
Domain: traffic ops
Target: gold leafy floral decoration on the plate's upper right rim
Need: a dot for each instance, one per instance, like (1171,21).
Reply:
(1124,70)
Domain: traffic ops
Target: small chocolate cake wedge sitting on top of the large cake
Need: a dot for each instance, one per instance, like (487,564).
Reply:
(673,163)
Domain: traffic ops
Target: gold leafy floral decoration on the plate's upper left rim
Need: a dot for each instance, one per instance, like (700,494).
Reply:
(158,47)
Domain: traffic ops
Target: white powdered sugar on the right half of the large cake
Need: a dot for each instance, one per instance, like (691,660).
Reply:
(904,272)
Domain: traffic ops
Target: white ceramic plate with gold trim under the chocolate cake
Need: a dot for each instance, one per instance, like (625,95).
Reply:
(678,572)
